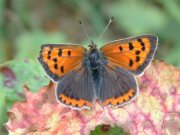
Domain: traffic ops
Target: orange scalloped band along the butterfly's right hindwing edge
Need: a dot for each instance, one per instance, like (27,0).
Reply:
(119,100)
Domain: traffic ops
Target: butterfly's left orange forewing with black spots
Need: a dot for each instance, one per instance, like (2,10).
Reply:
(61,59)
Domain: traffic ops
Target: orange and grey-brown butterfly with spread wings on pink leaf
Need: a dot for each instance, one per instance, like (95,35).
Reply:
(107,74)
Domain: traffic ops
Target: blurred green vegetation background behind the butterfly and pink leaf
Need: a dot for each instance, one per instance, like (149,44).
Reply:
(25,25)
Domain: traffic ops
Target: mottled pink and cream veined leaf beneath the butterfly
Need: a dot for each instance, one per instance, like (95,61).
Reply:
(155,111)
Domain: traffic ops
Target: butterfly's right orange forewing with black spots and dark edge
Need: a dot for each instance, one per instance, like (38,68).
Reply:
(132,53)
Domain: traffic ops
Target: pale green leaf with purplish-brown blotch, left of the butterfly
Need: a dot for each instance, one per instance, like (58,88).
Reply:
(15,74)
